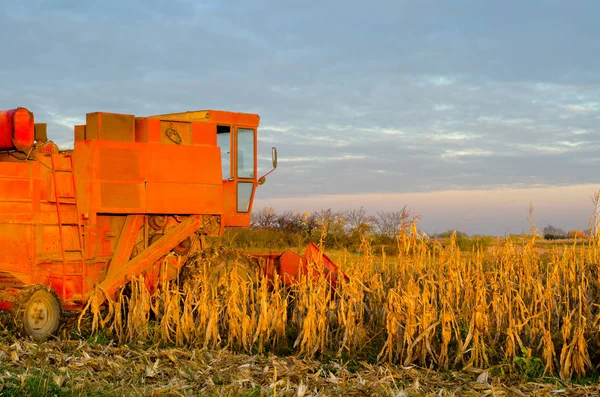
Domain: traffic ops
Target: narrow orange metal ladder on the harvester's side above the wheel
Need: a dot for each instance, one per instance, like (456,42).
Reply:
(68,200)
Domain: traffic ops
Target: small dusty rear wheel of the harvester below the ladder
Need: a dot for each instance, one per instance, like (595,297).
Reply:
(37,312)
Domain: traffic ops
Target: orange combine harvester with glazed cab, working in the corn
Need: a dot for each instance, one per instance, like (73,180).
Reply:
(132,190)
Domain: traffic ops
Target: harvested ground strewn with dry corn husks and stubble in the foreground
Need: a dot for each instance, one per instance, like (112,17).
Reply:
(81,368)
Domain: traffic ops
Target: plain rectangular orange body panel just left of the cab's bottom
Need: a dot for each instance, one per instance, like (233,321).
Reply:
(183,198)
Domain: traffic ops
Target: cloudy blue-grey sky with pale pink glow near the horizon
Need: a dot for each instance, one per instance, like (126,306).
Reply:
(465,111)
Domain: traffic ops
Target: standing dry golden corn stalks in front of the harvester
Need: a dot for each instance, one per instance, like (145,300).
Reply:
(430,306)
